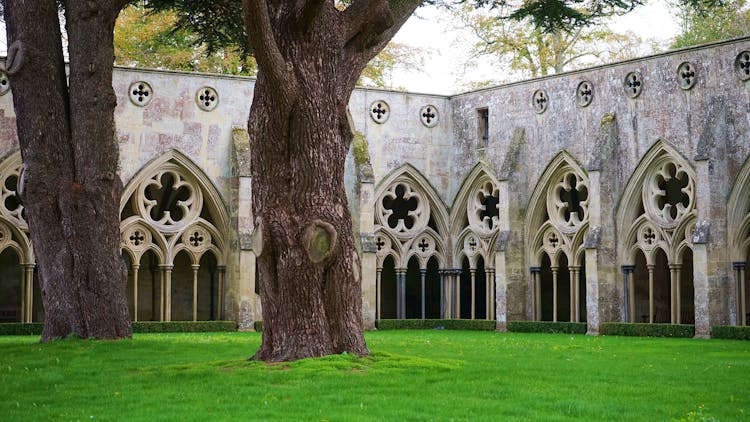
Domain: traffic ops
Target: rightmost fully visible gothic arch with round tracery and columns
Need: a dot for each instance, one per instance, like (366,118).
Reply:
(656,216)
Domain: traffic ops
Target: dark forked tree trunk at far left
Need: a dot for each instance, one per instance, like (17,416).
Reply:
(70,186)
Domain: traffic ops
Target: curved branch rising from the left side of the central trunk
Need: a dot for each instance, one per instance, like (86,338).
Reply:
(267,52)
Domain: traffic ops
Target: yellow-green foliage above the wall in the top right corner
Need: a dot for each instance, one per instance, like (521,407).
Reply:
(714,22)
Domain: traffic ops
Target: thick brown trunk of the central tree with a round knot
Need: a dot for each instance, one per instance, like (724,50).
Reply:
(309,56)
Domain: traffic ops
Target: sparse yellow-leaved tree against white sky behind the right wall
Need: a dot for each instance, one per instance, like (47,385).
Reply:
(526,51)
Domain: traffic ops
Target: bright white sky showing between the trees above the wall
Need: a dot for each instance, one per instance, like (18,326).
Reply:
(443,70)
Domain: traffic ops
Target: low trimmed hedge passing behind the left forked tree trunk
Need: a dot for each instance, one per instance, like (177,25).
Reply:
(35,328)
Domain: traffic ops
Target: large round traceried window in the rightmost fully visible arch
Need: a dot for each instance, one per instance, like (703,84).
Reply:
(669,194)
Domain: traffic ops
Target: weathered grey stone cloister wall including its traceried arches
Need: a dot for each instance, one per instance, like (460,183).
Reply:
(617,193)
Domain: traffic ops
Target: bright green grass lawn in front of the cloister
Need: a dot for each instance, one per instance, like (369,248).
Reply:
(411,375)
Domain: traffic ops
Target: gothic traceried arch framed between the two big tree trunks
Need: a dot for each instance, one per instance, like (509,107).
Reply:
(170,208)
